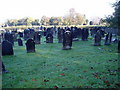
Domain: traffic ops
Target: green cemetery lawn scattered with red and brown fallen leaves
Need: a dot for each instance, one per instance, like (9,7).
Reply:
(84,66)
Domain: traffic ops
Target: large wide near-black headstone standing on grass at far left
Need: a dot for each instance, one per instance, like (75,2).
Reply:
(7,48)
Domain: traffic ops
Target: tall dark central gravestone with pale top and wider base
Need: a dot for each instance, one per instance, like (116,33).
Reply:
(67,40)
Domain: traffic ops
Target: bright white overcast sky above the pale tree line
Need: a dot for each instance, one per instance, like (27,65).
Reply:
(16,9)
